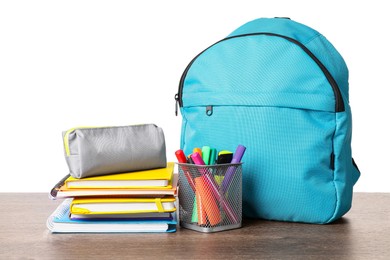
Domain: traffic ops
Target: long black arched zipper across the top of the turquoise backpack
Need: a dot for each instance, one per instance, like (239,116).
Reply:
(339,107)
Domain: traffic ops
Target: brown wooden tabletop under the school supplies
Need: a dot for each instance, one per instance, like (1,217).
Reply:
(363,233)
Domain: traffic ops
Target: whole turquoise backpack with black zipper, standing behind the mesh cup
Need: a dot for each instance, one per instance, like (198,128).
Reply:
(281,89)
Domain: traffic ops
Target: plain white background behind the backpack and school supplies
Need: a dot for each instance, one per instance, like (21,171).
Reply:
(72,63)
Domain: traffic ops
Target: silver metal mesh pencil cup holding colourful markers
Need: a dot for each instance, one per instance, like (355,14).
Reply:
(210,196)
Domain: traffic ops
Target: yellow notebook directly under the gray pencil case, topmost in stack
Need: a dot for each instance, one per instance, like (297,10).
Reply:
(156,178)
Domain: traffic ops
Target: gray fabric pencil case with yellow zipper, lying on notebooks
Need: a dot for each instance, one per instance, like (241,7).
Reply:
(93,151)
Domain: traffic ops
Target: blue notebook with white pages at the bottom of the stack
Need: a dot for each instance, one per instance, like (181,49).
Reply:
(60,222)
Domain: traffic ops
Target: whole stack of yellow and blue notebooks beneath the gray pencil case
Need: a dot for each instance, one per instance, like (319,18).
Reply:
(143,201)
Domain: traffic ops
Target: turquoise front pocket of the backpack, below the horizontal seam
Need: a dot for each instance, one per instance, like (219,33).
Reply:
(287,170)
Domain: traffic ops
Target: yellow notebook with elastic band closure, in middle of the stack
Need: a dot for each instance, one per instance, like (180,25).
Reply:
(122,205)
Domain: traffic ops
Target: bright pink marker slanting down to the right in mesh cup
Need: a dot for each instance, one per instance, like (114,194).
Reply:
(214,188)
